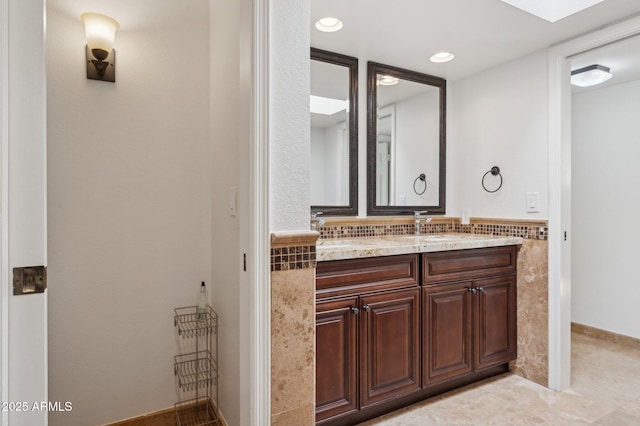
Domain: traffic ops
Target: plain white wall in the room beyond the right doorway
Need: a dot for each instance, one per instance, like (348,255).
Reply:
(605,176)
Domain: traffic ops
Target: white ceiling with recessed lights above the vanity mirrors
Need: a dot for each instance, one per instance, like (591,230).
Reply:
(481,33)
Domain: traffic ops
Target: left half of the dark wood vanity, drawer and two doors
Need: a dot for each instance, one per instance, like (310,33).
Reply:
(367,340)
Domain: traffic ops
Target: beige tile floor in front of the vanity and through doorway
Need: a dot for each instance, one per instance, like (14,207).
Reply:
(605,391)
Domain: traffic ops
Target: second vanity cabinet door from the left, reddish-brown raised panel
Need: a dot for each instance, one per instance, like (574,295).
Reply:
(390,345)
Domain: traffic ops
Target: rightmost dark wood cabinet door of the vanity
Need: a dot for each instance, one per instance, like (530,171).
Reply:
(495,321)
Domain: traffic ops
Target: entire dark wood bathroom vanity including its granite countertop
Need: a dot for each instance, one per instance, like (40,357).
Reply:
(403,318)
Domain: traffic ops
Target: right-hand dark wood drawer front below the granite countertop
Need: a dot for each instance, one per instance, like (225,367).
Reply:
(465,264)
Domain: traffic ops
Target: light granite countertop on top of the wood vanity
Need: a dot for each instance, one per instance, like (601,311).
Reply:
(341,248)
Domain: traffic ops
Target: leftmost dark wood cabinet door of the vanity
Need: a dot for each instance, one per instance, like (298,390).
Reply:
(336,357)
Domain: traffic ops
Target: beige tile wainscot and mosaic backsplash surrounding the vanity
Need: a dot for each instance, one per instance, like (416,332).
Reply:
(293,263)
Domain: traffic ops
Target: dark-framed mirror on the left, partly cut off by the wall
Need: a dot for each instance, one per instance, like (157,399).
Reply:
(334,133)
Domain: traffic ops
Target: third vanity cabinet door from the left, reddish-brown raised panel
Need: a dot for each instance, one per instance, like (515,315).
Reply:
(447,331)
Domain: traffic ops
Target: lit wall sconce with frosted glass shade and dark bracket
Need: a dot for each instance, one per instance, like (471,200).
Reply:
(100,31)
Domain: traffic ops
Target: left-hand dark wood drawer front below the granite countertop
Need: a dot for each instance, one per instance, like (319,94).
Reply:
(340,277)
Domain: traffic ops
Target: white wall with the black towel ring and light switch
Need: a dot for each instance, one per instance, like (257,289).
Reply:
(499,118)
